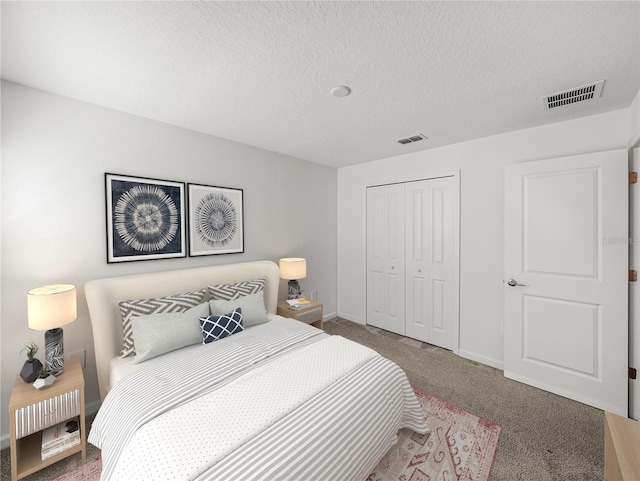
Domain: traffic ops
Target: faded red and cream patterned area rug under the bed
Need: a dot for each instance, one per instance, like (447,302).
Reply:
(460,447)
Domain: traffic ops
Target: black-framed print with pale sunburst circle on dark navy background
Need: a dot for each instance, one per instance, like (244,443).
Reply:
(145,218)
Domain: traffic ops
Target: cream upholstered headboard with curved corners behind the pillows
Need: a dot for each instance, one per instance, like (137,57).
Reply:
(103,296)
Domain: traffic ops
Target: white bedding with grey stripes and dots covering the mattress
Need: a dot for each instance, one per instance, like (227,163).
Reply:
(321,408)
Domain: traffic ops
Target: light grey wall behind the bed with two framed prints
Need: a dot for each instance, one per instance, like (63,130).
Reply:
(55,152)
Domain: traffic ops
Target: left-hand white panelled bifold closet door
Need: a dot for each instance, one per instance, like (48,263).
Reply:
(385,258)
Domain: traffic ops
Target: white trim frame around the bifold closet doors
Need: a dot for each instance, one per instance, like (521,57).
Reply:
(401,179)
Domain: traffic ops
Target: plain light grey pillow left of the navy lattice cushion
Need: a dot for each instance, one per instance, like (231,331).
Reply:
(157,334)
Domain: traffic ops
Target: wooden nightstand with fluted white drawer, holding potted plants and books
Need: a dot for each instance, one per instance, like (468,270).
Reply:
(32,410)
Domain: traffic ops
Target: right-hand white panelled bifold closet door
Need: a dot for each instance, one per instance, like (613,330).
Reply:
(430,255)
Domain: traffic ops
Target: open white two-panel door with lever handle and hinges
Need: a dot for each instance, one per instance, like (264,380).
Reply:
(566,251)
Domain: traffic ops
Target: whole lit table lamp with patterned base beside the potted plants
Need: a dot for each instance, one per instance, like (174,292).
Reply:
(50,308)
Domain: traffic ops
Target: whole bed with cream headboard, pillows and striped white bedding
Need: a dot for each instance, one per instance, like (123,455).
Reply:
(278,400)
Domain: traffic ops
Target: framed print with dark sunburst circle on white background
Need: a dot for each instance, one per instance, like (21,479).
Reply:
(216,224)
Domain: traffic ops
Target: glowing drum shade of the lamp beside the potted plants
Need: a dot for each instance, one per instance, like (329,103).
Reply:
(53,306)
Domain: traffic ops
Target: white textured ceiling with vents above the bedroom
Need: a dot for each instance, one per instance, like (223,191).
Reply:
(260,72)
